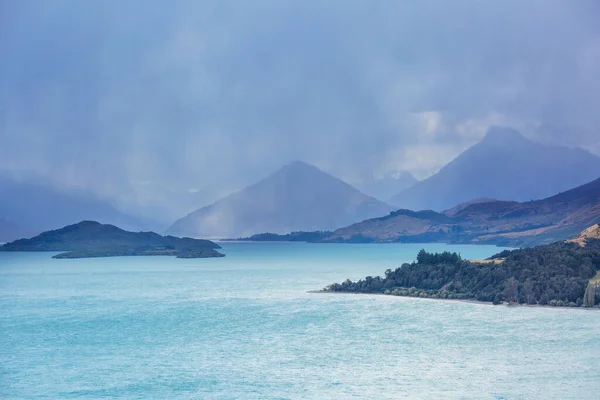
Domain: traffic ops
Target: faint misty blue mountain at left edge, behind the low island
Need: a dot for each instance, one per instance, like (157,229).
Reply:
(35,207)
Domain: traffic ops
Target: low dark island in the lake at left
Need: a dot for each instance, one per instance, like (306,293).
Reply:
(89,239)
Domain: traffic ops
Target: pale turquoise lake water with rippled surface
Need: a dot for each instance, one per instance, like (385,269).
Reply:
(244,327)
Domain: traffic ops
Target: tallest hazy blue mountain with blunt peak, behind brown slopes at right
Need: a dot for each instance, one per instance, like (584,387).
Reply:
(504,165)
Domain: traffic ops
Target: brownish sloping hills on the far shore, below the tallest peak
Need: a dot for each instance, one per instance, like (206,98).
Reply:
(491,222)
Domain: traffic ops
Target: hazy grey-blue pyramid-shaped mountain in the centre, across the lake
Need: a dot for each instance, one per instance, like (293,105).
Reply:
(298,197)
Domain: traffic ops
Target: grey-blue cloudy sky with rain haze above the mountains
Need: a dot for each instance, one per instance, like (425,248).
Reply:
(137,99)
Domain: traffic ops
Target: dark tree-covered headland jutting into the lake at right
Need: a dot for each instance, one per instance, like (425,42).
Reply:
(558,274)
